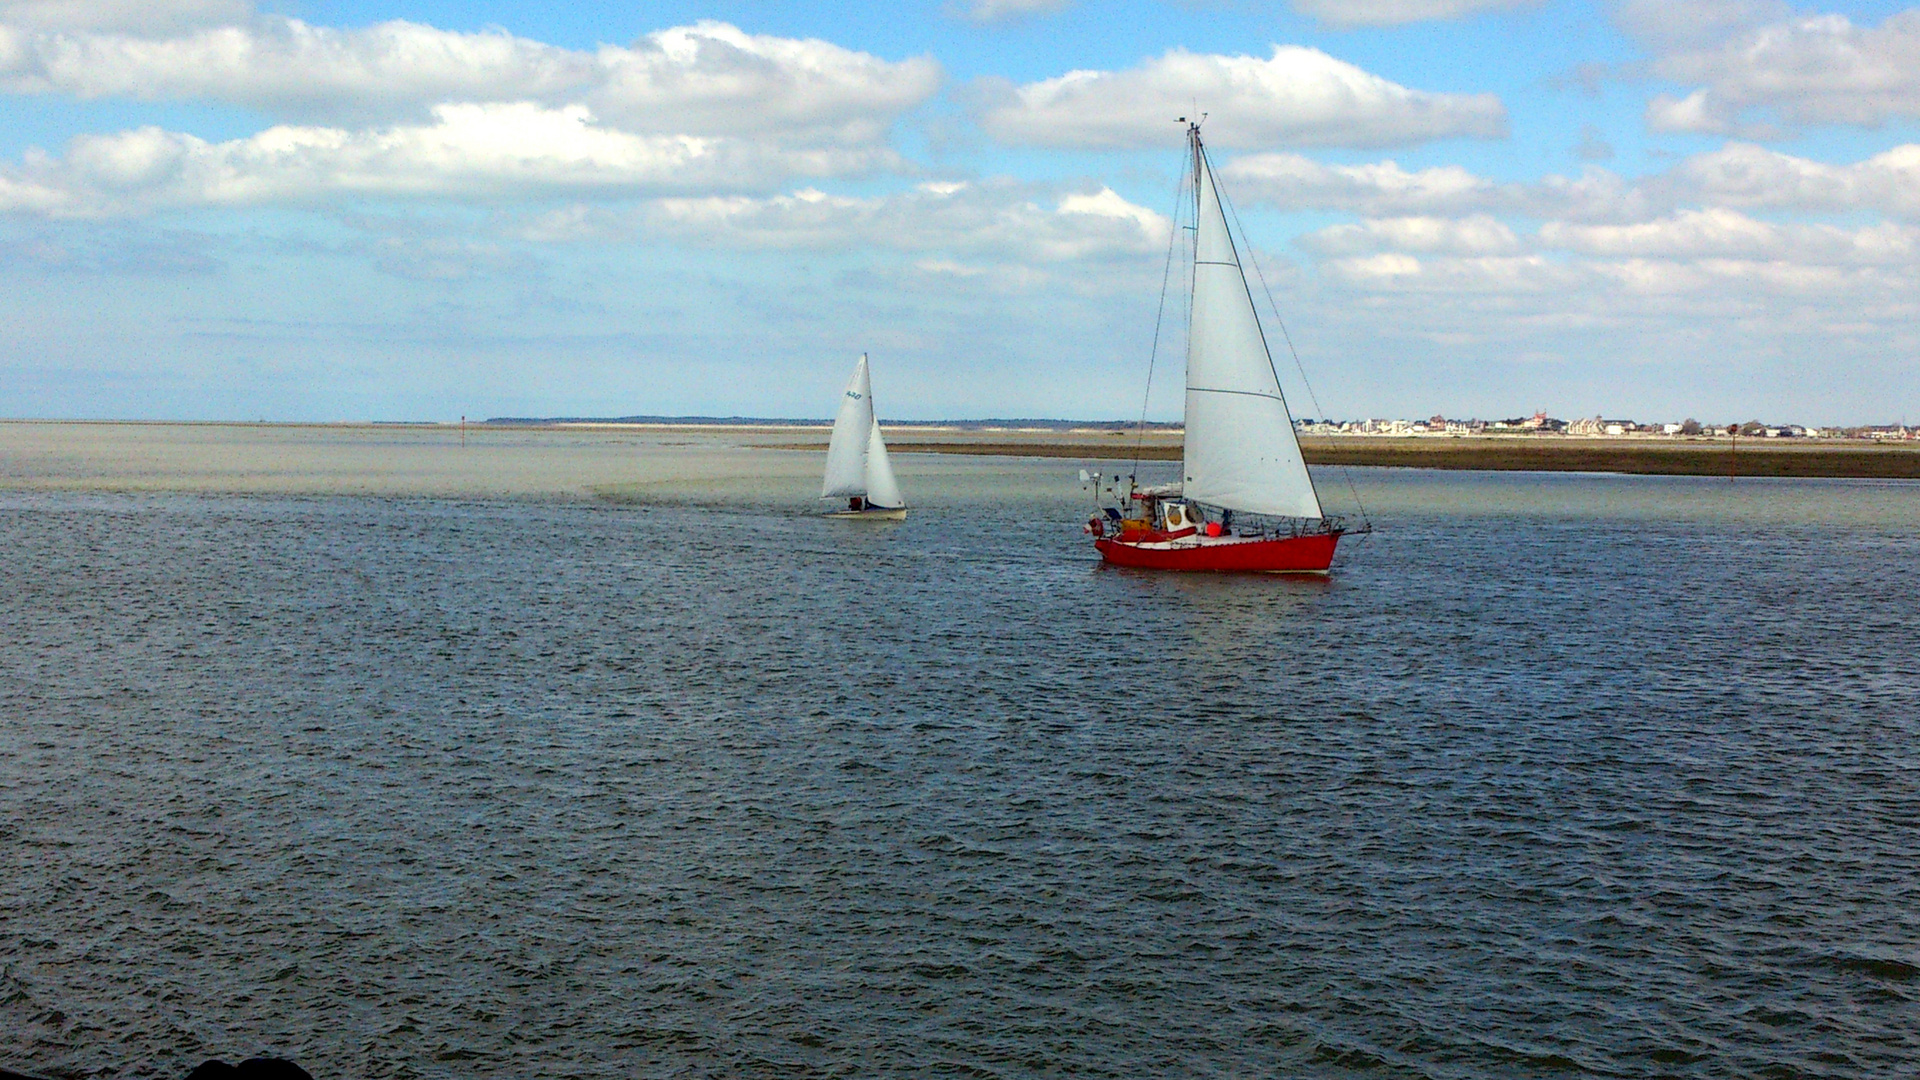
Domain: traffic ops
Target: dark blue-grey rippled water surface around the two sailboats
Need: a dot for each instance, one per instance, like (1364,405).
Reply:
(1554,777)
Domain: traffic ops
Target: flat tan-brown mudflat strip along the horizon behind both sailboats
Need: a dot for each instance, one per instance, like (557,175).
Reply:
(602,460)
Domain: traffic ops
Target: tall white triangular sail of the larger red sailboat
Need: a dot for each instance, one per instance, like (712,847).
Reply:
(1241,449)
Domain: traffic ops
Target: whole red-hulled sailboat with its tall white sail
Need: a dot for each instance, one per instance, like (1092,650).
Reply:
(1245,501)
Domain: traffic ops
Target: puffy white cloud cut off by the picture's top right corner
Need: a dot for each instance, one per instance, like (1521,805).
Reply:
(1806,72)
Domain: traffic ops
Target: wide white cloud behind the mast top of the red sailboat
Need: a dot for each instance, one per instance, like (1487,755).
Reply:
(1297,97)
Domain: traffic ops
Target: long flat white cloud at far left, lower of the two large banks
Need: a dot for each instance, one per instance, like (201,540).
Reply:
(469,151)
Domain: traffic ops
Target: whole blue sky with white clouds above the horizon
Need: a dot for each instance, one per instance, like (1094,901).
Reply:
(347,210)
